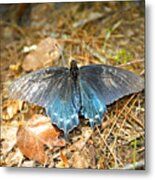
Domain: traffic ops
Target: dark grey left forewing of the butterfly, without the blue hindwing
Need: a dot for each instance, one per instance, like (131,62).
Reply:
(38,87)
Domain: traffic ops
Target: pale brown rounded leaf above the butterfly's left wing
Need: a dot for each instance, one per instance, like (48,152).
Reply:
(47,53)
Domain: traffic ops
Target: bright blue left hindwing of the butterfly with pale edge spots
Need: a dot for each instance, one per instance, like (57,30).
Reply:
(62,110)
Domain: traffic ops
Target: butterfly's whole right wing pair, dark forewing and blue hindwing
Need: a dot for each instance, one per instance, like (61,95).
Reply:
(101,85)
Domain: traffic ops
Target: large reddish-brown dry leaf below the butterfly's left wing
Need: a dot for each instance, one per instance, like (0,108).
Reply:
(36,133)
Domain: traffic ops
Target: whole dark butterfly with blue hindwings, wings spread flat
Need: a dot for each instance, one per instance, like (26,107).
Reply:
(67,93)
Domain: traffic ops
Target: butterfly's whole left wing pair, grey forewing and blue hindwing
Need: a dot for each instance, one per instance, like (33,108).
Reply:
(52,89)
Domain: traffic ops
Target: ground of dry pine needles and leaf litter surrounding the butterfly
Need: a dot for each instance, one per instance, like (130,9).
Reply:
(99,33)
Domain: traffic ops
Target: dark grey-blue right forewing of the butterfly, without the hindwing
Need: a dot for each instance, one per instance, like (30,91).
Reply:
(111,83)
